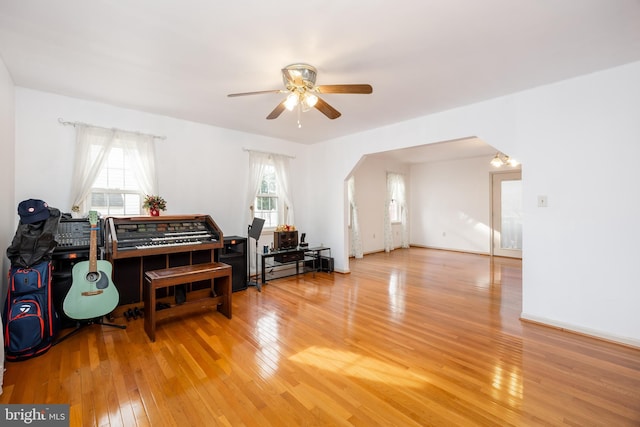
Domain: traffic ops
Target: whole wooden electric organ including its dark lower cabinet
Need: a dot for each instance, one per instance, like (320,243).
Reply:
(135,245)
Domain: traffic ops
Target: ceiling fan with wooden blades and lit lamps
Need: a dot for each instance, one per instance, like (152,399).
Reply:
(300,85)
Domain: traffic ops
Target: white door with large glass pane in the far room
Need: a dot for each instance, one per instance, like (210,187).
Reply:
(506,215)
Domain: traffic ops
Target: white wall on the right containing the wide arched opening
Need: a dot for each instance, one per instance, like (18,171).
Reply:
(579,142)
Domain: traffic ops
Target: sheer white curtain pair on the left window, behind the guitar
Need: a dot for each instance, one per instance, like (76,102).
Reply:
(93,145)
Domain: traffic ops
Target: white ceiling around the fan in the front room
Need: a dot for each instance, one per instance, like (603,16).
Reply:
(181,58)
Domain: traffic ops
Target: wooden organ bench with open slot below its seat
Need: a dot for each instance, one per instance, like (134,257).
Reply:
(218,295)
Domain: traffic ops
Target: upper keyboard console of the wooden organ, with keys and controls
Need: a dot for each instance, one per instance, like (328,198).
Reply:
(142,236)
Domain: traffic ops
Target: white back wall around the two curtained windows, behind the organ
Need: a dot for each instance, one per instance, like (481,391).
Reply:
(201,169)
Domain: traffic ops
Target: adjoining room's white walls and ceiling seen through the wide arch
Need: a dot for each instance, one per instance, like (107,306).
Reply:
(448,195)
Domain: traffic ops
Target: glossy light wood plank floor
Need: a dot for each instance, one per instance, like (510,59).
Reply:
(412,338)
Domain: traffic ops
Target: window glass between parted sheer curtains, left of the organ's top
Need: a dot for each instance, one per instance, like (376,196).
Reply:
(115,190)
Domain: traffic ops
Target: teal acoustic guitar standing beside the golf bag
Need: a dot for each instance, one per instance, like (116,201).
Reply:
(92,293)
